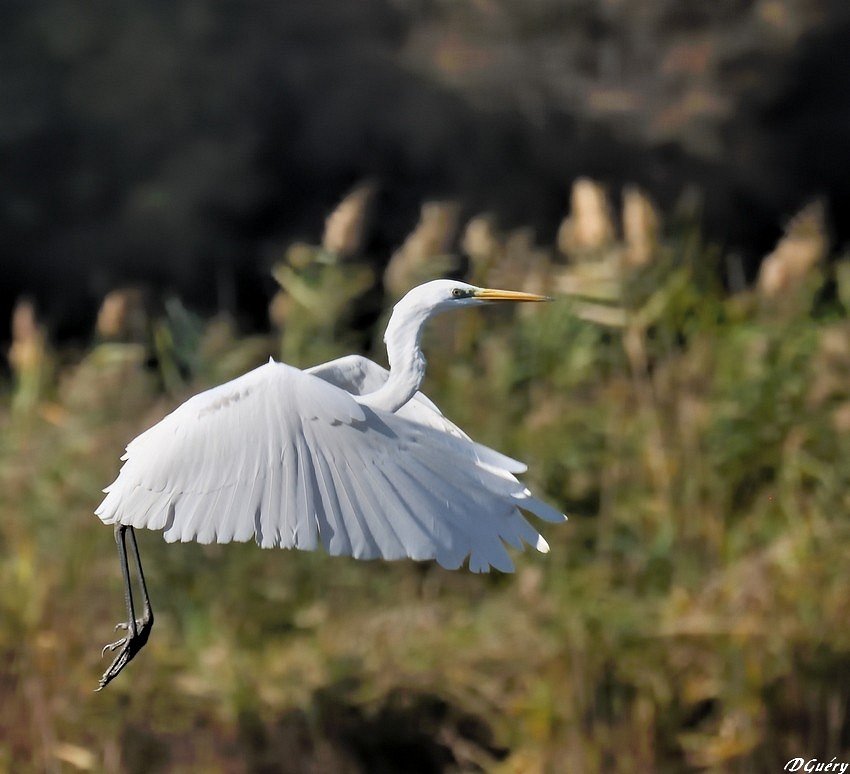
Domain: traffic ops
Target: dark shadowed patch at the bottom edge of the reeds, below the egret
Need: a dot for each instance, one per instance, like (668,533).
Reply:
(406,731)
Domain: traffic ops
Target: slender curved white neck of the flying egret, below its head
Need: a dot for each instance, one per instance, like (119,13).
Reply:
(407,363)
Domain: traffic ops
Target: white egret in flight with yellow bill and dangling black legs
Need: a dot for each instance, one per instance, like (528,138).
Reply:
(346,455)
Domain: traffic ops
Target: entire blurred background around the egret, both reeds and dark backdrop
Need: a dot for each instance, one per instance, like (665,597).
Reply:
(675,173)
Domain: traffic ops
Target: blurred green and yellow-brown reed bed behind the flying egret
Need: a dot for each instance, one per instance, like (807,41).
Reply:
(691,615)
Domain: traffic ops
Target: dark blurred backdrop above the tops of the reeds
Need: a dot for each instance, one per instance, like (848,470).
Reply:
(182,144)
